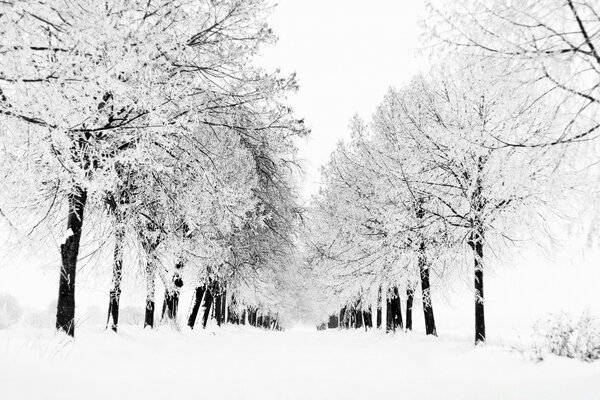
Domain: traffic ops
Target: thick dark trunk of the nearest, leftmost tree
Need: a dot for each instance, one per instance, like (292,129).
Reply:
(69,250)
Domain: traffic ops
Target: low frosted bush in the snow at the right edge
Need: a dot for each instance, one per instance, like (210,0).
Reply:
(562,336)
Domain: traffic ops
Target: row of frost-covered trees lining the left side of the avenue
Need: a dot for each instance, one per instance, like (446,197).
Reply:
(145,126)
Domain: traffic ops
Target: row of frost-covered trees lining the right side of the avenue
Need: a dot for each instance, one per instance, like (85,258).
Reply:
(462,160)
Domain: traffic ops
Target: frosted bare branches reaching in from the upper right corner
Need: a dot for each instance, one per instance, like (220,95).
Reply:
(552,47)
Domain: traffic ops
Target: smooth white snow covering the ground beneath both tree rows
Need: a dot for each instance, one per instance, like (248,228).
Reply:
(247,363)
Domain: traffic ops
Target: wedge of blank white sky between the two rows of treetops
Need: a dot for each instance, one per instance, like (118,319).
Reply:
(346,54)
